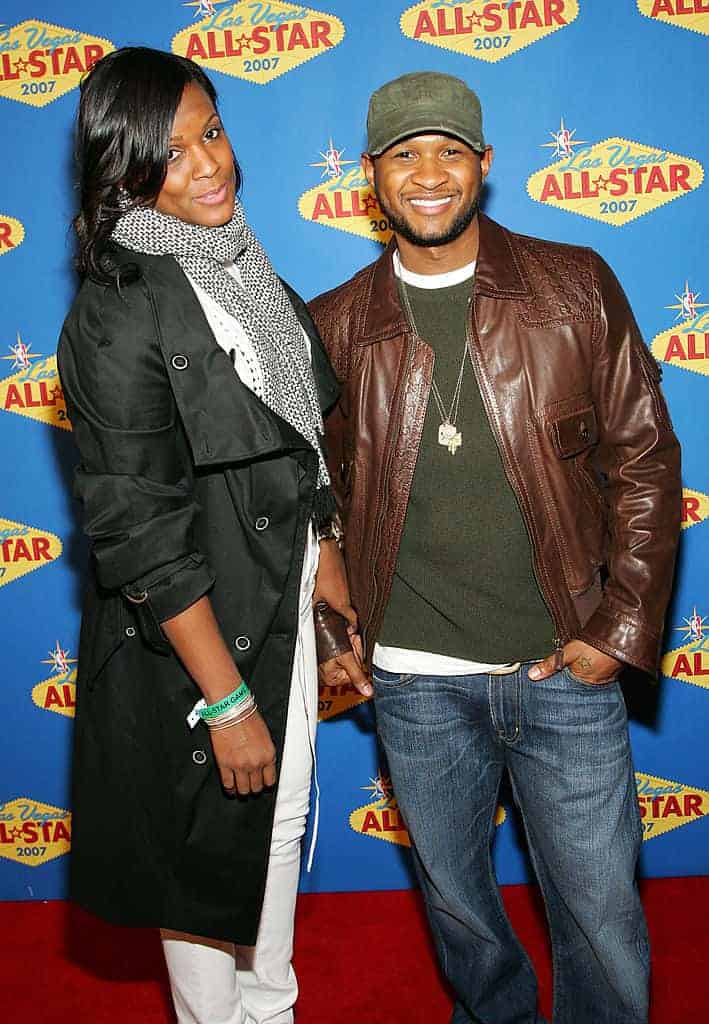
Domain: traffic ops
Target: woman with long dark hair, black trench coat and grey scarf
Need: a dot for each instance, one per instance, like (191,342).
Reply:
(201,487)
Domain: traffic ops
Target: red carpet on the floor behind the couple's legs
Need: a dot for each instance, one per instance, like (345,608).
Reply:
(361,958)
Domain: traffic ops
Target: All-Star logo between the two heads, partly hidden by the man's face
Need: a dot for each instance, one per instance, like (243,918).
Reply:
(346,200)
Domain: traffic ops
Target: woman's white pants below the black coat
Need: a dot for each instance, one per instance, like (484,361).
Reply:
(217,983)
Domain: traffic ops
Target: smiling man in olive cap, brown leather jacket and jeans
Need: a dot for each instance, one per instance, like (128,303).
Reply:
(510,493)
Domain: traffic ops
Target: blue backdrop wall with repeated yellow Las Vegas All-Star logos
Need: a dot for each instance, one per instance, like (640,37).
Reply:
(597,111)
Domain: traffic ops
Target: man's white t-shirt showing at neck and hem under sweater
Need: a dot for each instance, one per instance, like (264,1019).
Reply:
(401,660)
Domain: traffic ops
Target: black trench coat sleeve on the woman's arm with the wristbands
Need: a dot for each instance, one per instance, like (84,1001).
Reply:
(135,478)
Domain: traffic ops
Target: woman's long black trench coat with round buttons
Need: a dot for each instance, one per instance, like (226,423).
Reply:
(190,486)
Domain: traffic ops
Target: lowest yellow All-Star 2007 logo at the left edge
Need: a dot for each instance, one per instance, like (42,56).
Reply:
(33,833)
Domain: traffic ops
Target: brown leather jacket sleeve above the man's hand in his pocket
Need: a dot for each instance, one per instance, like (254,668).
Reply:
(640,456)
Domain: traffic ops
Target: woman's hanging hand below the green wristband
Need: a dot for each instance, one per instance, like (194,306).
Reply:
(245,756)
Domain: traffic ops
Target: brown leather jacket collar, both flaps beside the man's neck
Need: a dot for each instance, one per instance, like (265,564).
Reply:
(498,275)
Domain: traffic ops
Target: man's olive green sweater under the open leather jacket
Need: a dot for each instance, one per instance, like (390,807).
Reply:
(465,586)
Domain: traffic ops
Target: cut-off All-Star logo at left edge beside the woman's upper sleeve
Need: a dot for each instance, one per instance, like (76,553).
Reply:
(34,391)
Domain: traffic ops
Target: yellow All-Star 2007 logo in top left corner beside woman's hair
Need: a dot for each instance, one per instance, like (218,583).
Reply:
(40,62)
